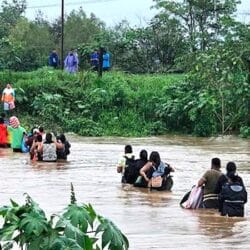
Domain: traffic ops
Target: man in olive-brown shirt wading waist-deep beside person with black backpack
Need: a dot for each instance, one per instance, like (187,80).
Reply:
(209,181)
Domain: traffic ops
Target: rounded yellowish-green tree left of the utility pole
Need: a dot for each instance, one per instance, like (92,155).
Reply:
(30,43)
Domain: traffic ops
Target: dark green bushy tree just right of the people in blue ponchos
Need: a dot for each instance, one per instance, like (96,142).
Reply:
(139,50)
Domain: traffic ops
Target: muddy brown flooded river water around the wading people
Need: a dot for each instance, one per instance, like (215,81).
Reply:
(150,220)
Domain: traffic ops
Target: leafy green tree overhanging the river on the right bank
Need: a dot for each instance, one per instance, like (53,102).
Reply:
(215,96)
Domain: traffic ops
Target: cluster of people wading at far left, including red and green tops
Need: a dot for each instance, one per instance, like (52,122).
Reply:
(40,145)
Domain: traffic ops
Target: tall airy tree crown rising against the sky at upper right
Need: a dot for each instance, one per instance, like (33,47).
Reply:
(200,19)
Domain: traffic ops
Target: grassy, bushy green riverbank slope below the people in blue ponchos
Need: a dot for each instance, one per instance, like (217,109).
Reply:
(117,104)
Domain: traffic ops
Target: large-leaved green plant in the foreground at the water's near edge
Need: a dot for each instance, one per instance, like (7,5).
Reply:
(78,228)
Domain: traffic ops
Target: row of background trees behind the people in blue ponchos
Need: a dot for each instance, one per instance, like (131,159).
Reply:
(180,28)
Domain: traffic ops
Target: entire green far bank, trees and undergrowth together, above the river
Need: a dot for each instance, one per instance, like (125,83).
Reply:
(200,38)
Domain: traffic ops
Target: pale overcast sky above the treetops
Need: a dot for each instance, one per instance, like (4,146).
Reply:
(137,12)
